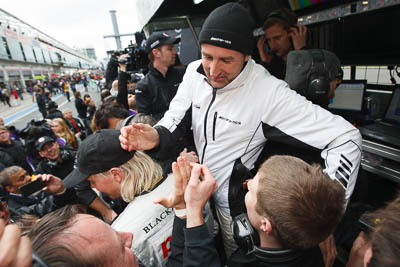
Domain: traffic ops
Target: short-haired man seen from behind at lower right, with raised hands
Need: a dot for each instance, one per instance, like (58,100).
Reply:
(291,207)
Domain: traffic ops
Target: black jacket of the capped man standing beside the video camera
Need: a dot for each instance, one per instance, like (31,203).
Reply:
(154,92)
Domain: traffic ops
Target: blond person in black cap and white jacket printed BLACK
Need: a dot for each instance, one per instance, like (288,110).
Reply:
(139,180)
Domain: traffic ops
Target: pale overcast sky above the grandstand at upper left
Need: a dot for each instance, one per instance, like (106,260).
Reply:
(78,23)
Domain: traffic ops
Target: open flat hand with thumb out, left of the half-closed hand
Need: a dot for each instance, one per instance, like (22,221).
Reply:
(181,171)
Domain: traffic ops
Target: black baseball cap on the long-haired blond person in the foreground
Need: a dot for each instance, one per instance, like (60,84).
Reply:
(98,153)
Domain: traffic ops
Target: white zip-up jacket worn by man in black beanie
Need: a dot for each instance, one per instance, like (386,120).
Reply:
(235,121)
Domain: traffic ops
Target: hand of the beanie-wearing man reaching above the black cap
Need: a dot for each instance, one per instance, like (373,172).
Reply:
(139,136)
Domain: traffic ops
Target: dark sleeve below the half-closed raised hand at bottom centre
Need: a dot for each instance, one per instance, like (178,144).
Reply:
(199,248)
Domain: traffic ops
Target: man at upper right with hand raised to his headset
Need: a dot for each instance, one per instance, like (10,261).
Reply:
(282,35)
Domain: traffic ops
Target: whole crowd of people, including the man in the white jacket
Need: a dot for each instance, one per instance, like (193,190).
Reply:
(213,164)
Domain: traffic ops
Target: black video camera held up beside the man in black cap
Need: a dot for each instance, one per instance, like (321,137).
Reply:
(137,60)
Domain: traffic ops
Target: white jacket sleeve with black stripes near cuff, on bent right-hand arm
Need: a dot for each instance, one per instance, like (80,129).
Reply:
(294,120)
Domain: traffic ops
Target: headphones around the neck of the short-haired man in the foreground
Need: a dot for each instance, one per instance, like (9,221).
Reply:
(244,233)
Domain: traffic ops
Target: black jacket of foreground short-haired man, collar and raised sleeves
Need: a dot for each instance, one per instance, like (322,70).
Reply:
(198,250)
